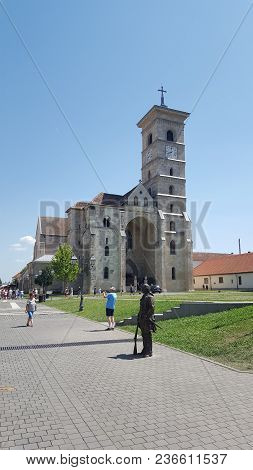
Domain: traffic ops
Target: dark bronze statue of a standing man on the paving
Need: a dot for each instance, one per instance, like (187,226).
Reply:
(146,320)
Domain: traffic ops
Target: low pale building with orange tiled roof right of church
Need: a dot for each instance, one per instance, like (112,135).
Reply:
(225,272)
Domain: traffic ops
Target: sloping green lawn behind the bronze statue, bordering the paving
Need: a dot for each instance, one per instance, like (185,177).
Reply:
(225,337)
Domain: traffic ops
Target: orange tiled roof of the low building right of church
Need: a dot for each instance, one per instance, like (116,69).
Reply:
(227,264)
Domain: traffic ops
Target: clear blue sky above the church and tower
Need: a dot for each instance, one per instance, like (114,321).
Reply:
(104,62)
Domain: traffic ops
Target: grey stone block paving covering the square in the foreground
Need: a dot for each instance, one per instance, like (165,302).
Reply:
(89,392)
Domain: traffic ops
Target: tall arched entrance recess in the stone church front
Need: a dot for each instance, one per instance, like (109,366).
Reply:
(140,251)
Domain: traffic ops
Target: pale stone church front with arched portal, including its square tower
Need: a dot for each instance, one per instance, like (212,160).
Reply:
(144,235)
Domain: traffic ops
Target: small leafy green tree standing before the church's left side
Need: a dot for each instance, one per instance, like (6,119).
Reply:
(62,263)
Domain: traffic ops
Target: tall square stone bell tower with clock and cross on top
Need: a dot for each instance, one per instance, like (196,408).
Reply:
(163,174)
